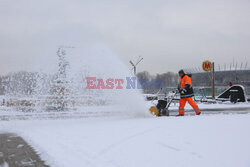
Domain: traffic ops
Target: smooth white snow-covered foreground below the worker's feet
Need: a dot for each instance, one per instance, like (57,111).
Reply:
(195,141)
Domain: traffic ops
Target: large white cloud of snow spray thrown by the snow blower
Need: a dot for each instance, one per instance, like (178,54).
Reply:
(64,86)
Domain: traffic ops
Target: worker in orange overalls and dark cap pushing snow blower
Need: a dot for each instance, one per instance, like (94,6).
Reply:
(186,93)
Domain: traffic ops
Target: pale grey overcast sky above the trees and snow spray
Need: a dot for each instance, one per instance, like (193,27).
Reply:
(169,34)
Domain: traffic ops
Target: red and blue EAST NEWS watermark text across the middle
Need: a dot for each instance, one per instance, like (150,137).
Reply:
(120,83)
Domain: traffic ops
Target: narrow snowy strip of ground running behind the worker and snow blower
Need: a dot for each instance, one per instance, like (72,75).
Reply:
(11,113)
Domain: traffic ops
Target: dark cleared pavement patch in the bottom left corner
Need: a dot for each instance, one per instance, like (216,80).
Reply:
(15,152)
